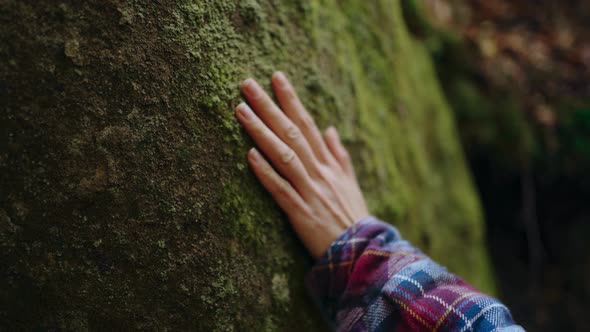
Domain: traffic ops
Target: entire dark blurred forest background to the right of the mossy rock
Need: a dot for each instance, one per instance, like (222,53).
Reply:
(517,75)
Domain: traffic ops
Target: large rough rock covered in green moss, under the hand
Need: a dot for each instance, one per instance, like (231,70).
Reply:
(126,200)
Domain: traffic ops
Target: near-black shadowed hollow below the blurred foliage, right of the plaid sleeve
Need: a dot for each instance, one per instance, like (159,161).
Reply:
(550,293)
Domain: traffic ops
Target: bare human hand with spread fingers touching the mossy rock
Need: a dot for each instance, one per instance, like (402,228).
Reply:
(313,179)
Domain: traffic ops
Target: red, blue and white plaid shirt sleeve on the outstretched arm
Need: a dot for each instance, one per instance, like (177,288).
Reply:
(372,280)
